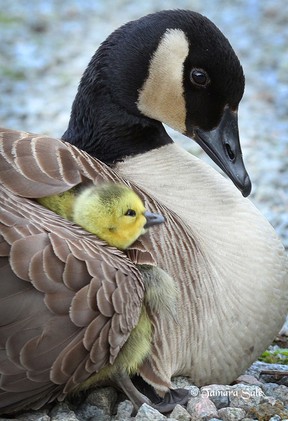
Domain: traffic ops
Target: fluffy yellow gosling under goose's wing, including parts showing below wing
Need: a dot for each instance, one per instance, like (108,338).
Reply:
(117,215)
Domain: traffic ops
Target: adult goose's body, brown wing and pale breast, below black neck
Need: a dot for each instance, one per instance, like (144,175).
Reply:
(74,315)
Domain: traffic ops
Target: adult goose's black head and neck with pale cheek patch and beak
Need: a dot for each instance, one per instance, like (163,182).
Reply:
(173,67)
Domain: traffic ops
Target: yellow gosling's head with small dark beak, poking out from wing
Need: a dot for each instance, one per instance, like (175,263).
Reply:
(114,213)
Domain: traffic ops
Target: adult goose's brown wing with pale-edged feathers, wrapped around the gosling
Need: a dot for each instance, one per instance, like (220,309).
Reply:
(68,302)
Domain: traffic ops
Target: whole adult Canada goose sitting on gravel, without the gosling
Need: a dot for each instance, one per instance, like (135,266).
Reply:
(68,301)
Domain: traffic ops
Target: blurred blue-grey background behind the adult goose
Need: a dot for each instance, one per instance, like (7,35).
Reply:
(46,45)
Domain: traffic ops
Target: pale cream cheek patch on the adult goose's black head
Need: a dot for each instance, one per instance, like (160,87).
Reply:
(162,95)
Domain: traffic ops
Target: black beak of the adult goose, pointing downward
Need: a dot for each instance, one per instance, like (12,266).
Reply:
(223,146)
